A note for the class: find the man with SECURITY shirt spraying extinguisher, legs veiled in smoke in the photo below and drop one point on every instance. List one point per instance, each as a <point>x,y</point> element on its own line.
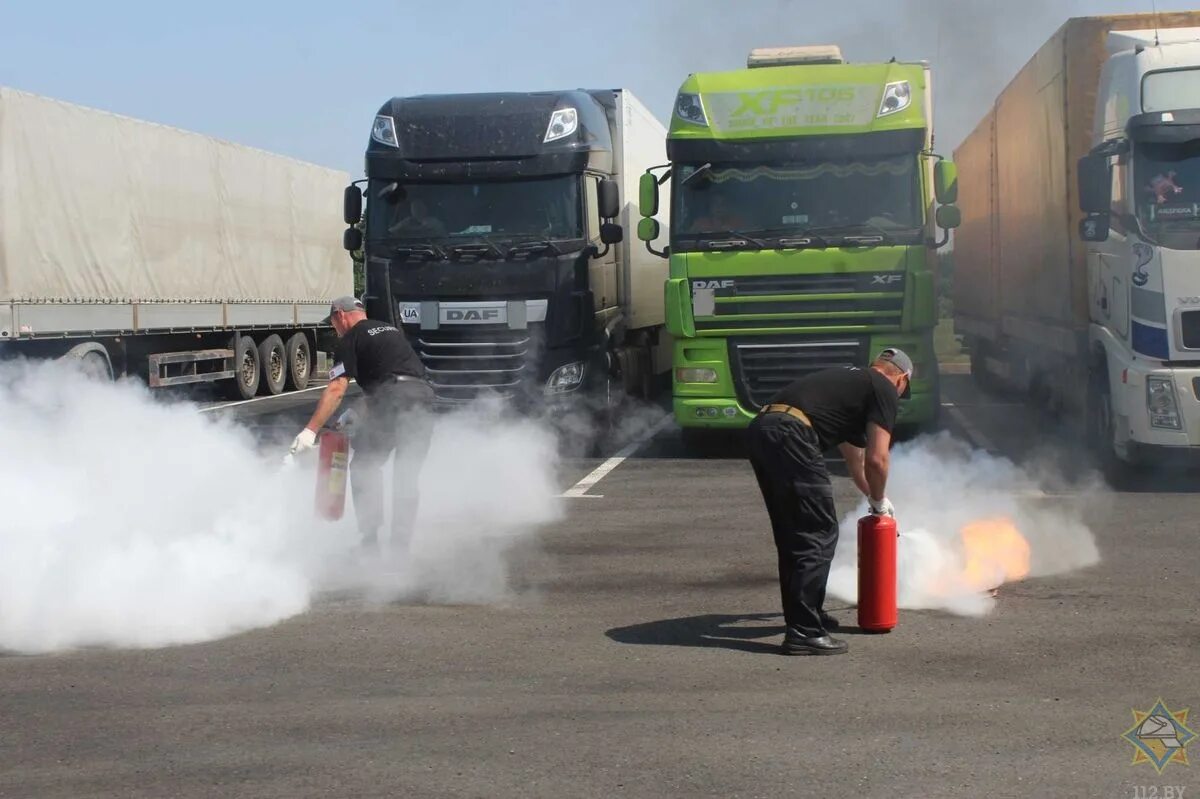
<point>397,417</point>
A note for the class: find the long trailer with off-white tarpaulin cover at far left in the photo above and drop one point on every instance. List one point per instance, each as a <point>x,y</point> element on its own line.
<point>143,250</point>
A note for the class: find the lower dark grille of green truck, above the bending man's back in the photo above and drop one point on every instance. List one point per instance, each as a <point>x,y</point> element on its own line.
<point>765,365</point>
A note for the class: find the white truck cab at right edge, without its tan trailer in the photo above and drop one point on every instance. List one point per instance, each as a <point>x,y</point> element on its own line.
<point>1141,191</point>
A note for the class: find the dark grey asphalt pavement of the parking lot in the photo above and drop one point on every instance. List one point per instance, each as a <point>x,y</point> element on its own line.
<point>639,659</point>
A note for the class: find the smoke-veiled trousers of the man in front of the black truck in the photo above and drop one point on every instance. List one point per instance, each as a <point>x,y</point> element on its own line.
<point>398,418</point>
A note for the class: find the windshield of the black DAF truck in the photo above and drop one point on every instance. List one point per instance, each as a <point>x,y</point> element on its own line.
<point>499,212</point>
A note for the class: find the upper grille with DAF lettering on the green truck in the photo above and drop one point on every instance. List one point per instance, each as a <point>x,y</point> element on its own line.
<point>760,296</point>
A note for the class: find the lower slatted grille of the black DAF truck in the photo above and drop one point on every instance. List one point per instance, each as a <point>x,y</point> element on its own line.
<point>465,364</point>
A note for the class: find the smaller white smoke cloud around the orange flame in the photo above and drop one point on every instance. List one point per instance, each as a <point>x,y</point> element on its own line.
<point>940,485</point>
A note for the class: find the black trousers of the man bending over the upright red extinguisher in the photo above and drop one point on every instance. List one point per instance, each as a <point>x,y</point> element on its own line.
<point>795,483</point>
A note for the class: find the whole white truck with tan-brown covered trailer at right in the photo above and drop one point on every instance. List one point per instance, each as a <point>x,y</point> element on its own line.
<point>1078,263</point>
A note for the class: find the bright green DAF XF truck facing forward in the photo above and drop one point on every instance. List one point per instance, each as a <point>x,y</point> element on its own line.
<point>803,230</point>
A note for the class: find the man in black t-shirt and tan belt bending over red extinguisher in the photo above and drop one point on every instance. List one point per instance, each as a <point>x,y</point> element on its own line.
<point>856,411</point>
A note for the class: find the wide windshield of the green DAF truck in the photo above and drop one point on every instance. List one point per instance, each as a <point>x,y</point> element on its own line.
<point>879,197</point>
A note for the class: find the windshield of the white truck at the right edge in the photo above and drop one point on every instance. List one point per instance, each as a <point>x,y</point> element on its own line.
<point>1168,191</point>
